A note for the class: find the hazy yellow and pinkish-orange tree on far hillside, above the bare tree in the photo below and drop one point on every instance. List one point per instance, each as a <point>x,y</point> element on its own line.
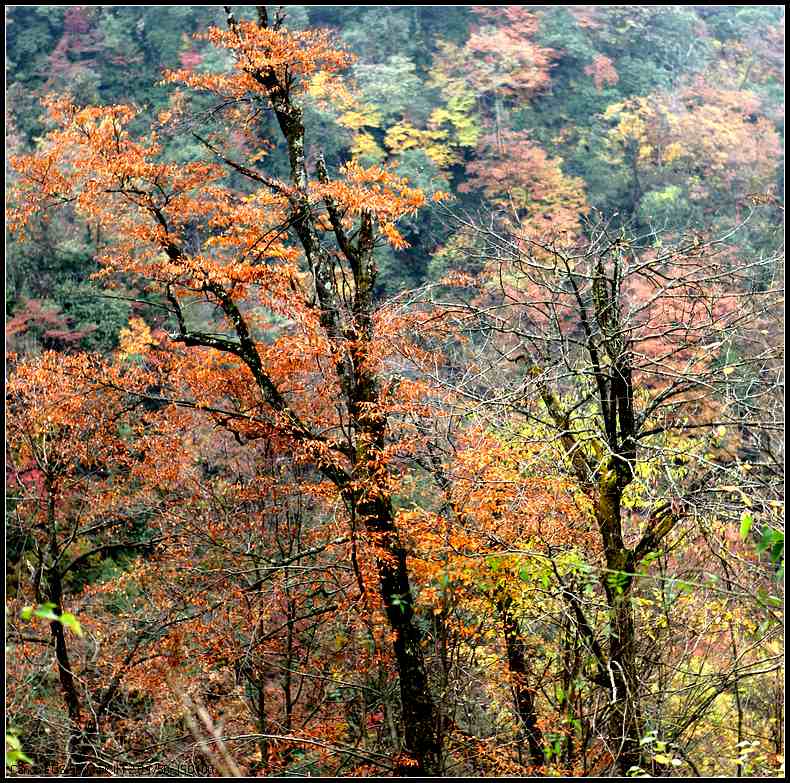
<point>692,151</point>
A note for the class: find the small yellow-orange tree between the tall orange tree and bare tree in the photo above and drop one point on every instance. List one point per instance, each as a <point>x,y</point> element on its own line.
<point>490,508</point>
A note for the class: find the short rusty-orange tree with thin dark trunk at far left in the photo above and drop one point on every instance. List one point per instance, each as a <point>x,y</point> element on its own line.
<point>70,457</point>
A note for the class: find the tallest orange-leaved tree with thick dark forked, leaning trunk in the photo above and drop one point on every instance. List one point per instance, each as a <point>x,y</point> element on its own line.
<point>196,239</point>
